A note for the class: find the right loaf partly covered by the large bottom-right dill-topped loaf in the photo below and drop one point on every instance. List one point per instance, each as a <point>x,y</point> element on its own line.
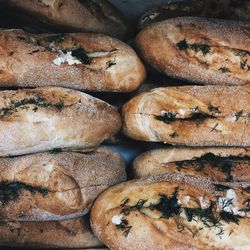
<point>216,164</point>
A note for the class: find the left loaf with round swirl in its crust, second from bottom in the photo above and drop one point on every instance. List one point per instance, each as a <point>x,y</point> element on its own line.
<point>56,186</point>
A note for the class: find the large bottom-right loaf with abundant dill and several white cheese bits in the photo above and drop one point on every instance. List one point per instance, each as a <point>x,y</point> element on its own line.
<point>173,212</point>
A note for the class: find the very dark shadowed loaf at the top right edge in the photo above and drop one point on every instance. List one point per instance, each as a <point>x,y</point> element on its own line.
<point>226,9</point>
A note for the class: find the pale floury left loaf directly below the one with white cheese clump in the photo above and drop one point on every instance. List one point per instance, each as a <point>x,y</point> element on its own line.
<point>41,119</point>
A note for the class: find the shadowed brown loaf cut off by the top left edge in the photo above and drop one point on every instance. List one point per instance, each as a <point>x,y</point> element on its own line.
<point>71,15</point>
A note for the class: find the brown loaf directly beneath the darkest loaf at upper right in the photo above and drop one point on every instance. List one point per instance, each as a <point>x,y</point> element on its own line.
<point>201,50</point>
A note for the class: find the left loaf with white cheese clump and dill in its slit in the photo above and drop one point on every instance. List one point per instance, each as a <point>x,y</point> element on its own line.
<point>81,61</point>
